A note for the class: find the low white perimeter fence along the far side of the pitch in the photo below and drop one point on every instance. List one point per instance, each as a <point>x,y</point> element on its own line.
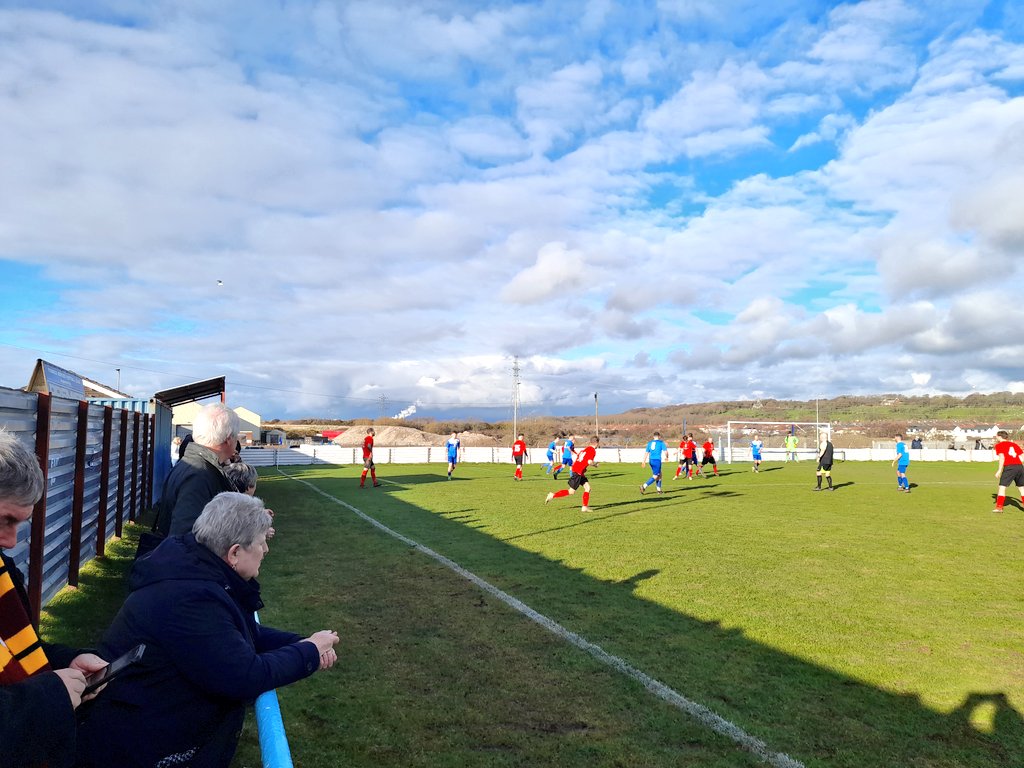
<point>438,455</point>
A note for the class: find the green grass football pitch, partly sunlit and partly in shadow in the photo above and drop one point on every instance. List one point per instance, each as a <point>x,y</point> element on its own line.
<point>860,628</point>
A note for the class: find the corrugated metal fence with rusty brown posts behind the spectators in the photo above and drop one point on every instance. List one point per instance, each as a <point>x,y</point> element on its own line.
<point>98,461</point>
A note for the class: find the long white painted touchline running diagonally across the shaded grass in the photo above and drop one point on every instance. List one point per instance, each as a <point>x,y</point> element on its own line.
<point>699,712</point>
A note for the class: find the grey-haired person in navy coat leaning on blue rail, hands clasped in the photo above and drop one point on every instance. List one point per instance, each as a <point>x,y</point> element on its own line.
<point>192,603</point>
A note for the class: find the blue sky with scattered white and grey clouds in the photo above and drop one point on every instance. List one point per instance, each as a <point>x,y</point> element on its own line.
<point>374,208</point>
